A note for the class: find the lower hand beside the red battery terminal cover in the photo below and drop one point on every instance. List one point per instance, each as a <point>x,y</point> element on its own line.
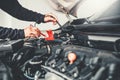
<point>32,32</point>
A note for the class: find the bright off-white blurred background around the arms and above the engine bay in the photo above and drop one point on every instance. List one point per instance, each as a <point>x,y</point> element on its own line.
<point>86,9</point>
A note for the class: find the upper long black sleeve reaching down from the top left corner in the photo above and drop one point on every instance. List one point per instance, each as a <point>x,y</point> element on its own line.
<point>13,8</point>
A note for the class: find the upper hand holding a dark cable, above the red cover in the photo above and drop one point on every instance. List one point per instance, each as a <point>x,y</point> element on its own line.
<point>50,18</point>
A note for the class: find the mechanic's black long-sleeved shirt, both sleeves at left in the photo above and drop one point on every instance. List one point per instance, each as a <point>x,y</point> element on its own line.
<point>13,8</point>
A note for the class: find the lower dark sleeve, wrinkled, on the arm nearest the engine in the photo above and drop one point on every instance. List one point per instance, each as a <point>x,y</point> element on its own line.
<point>11,33</point>
